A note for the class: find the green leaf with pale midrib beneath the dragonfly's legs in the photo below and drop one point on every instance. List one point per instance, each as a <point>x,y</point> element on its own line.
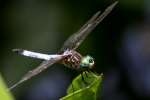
<point>84,90</point>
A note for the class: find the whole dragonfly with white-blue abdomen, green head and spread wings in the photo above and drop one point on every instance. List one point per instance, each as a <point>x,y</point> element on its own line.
<point>67,55</point>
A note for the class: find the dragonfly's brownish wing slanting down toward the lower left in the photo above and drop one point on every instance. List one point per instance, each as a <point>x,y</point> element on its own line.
<point>38,70</point>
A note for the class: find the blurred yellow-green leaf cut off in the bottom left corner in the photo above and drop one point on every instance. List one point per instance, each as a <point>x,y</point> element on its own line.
<point>4,93</point>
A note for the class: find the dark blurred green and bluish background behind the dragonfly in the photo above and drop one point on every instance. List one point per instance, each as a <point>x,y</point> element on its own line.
<point>120,46</point>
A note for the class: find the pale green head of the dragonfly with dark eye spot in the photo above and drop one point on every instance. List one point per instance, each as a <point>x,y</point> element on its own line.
<point>87,62</point>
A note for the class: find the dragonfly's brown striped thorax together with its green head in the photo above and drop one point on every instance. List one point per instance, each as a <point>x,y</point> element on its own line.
<point>78,62</point>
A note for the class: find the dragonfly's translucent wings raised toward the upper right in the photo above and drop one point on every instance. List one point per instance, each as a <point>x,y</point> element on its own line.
<point>77,38</point>
